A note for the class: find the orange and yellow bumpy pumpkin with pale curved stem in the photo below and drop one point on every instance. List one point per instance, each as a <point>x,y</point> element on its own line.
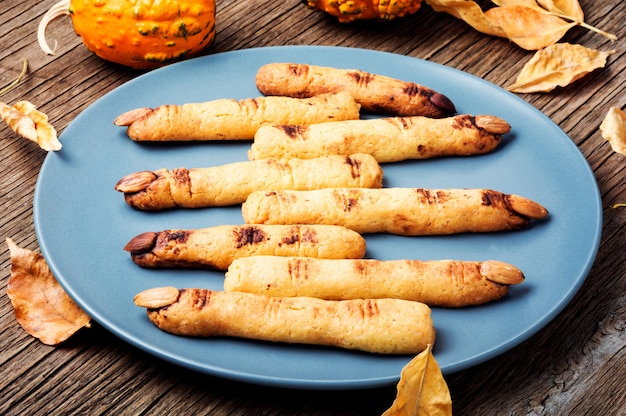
<point>141,34</point>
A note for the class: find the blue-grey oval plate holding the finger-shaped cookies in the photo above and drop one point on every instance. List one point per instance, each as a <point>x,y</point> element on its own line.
<point>82,223</point>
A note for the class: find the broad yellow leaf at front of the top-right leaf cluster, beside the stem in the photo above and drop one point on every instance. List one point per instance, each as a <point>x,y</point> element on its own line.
<point>529,28</point>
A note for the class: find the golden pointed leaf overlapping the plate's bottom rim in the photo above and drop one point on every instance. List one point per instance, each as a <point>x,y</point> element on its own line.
<point>422,390</point>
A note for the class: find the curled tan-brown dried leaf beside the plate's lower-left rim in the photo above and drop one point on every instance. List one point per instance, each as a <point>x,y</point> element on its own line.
<point>41,305</point>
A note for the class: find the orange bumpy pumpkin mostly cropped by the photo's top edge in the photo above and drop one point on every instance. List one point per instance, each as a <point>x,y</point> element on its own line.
<point>350,10</point>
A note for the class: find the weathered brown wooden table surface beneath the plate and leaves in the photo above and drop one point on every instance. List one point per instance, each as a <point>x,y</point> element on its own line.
<point>576,365</point>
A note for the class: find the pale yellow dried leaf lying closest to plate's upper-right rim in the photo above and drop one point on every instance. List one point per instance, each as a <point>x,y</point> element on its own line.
<point>558,65</point>
